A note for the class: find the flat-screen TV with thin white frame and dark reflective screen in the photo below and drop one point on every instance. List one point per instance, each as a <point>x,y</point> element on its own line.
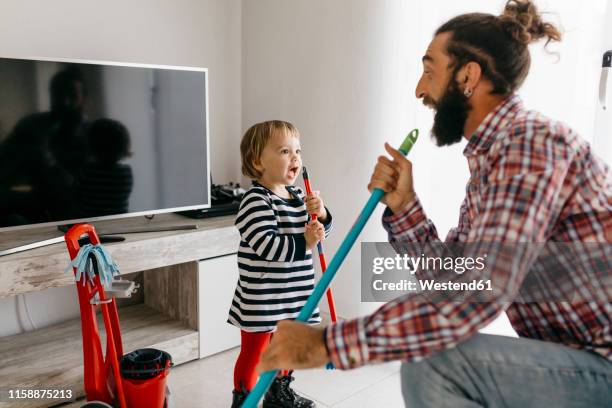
<point>85,141</point>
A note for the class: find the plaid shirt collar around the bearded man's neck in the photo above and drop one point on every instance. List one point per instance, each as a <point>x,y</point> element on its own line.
<point>484,136</point>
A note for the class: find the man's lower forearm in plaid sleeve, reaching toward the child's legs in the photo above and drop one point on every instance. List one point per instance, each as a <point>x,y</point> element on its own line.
<point>405,329</point>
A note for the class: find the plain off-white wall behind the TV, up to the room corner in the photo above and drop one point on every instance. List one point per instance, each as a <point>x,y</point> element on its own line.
<point>205,33</point>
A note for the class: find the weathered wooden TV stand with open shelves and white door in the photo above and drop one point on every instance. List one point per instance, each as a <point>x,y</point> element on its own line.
<point>181,308</point>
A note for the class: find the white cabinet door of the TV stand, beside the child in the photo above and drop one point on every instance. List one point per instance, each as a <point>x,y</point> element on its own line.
<point>217,279</point>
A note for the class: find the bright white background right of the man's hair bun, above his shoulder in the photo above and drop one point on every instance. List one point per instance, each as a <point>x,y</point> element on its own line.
<point>566,89</point>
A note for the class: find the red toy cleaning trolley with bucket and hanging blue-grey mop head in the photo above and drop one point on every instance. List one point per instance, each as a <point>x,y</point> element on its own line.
<point>142,373</point>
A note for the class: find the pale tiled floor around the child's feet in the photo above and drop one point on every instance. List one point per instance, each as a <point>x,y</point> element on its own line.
<point>208,383</point>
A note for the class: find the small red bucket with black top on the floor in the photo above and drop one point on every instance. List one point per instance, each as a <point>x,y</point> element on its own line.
<point>144,373</point>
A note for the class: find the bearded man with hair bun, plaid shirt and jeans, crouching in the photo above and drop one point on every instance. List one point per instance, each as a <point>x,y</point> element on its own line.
<point>533,180</point>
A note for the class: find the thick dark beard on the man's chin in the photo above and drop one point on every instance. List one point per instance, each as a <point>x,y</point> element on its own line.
<point>451,113</point>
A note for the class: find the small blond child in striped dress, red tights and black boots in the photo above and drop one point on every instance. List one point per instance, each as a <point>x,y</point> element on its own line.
<point>275,253</point>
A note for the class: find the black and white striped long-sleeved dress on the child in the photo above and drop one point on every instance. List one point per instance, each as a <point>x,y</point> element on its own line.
<point>276,269</point>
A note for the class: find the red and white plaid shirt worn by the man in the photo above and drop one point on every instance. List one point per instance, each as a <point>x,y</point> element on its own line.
<point>533,180</point>
